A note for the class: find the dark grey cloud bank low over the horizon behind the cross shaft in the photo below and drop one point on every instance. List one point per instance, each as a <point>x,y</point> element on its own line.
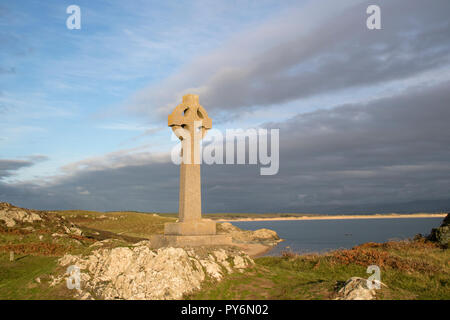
<point>389,154</point>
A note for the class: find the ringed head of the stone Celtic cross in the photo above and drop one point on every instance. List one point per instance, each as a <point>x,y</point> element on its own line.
<point>191,116</point>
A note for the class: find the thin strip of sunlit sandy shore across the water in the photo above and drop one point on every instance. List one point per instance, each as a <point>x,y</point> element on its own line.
<point>340,217</point>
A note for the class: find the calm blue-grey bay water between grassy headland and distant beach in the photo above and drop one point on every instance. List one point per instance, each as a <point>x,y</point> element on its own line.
<point>323,235</point>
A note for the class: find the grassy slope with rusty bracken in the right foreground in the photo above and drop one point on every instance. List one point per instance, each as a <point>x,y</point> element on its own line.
<point>410,269</point>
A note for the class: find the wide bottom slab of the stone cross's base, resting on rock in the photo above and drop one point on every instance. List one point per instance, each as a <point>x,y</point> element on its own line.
<point>158,241</point>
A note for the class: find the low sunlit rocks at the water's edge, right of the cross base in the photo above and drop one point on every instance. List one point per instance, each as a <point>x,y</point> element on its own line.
<point>263,236</point>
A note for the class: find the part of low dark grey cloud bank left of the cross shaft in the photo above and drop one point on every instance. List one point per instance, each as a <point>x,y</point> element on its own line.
<point>143,187</point>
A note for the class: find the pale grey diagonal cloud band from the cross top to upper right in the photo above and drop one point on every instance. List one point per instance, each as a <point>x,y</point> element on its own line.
<point>318,48</point>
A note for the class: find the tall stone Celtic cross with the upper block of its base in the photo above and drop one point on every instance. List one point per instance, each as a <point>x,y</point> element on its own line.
<point>190,122</point>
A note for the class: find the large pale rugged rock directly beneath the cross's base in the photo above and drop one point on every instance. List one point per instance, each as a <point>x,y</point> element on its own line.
<point>140,272</point>
